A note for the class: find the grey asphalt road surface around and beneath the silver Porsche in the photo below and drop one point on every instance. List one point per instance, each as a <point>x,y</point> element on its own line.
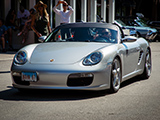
<point>136,100</point>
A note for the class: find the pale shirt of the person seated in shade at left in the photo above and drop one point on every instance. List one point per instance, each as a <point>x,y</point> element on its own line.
<point>21,15</point>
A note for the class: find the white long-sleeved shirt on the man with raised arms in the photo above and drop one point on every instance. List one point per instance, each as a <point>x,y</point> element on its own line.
<point>64,16</point>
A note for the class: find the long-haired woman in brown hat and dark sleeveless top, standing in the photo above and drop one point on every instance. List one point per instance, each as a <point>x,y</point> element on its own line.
<point>40,21</point>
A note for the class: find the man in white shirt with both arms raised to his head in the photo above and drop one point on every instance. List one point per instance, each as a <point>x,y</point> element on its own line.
<point>65,14</point>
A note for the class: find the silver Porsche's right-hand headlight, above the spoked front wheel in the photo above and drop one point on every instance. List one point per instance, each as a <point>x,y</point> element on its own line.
<point>92,59</point>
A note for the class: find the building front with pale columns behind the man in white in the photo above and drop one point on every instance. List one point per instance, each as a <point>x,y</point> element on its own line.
<point>85,10</point>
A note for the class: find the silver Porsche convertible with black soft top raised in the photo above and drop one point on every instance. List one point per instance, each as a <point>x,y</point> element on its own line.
<point>81,56</point>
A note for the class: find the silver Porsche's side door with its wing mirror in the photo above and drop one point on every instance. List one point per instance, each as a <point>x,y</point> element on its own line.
<point>131,52</point>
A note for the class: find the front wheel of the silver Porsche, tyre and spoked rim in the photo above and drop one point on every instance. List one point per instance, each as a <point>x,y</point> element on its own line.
<point>116,76</point>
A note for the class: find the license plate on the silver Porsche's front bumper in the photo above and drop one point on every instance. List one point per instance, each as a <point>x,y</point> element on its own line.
<point>29,76</point>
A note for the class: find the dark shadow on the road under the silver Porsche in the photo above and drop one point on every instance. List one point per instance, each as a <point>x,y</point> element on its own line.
<point>56,95</point>
